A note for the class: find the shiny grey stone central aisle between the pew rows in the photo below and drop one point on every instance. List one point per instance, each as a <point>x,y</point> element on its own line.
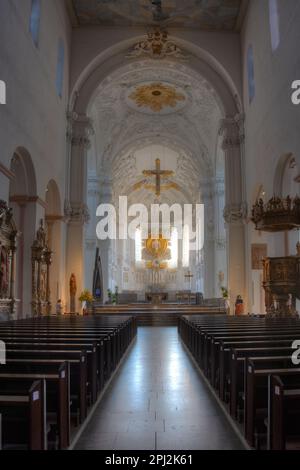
<point>158,401</point>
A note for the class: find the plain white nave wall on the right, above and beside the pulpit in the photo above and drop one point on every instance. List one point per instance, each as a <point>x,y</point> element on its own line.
<point>272,122</point>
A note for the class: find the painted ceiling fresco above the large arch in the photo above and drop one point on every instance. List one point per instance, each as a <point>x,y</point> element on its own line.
<point>208,15</point>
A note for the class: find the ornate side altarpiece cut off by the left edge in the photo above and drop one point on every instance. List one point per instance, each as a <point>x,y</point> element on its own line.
<point>8,239</point>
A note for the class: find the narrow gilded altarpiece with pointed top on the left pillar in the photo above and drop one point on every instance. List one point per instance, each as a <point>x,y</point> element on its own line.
<point>41,258</point>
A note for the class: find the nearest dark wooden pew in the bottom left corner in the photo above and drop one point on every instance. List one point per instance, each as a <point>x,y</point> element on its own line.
<point>22,406</point>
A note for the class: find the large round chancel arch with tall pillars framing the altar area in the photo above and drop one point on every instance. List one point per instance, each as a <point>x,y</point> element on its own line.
<point>229,100</point>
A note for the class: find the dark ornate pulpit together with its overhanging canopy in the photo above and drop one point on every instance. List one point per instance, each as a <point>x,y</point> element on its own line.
<point>281,275</point>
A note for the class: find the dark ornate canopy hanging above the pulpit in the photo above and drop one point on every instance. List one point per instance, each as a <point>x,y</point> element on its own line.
<point>277,215</point>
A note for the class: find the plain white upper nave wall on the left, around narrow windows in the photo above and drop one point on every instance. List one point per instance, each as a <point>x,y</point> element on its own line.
<point>34,116</point>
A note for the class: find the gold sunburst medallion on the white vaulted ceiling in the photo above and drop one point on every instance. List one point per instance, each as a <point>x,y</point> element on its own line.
<point>156,96</point>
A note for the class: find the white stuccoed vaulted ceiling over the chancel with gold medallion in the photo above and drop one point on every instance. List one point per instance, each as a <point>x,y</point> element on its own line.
<point>150,109</point>
